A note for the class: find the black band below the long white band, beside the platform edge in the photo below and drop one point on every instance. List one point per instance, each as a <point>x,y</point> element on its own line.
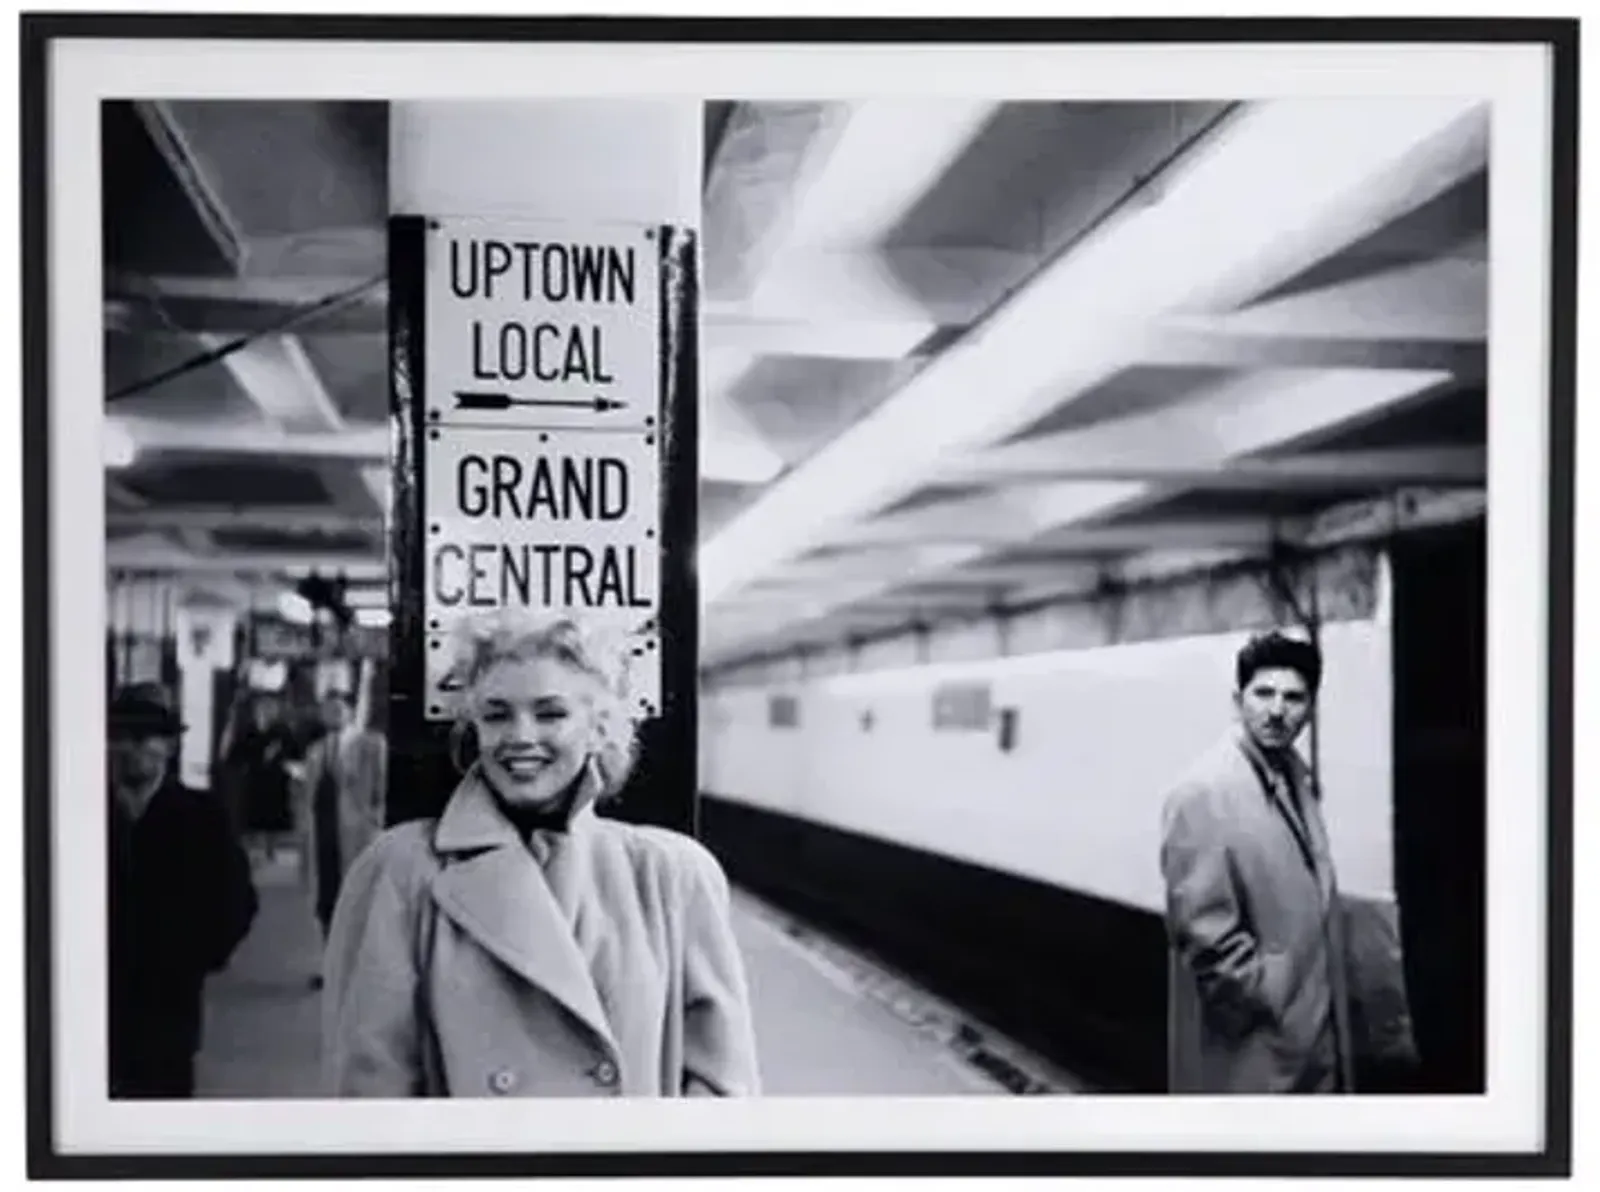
<point>1079,980</point>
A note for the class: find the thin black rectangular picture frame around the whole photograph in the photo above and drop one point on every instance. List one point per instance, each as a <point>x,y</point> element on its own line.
<point>39,33</point>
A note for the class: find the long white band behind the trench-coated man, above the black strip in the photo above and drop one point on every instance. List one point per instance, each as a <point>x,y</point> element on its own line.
<point>1102,737</point>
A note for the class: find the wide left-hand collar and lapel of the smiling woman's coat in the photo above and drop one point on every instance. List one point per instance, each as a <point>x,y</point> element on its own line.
<point>498,895</point>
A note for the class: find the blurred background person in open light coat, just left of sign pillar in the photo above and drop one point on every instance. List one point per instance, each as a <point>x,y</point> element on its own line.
<point>343,807</point>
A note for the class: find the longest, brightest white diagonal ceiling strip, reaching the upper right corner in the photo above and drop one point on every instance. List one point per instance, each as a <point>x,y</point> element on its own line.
<point>1282,183</point>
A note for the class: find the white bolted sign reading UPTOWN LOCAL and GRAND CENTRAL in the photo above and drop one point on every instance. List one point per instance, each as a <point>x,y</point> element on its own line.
<point>542,457</point>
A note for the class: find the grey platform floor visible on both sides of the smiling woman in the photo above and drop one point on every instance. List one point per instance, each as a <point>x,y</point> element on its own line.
<point>830,1022</point>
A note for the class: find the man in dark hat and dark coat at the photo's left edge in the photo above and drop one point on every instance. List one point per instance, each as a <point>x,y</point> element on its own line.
<point>182,898</point>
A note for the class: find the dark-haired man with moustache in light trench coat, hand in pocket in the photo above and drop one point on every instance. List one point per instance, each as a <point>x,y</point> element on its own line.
<point>1260,991</point>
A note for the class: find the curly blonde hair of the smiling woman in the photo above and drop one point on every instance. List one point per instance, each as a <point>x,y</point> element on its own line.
<point>481,642</point>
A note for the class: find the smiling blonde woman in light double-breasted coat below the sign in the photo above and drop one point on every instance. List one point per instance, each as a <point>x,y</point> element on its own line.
<point>521,945</point>
